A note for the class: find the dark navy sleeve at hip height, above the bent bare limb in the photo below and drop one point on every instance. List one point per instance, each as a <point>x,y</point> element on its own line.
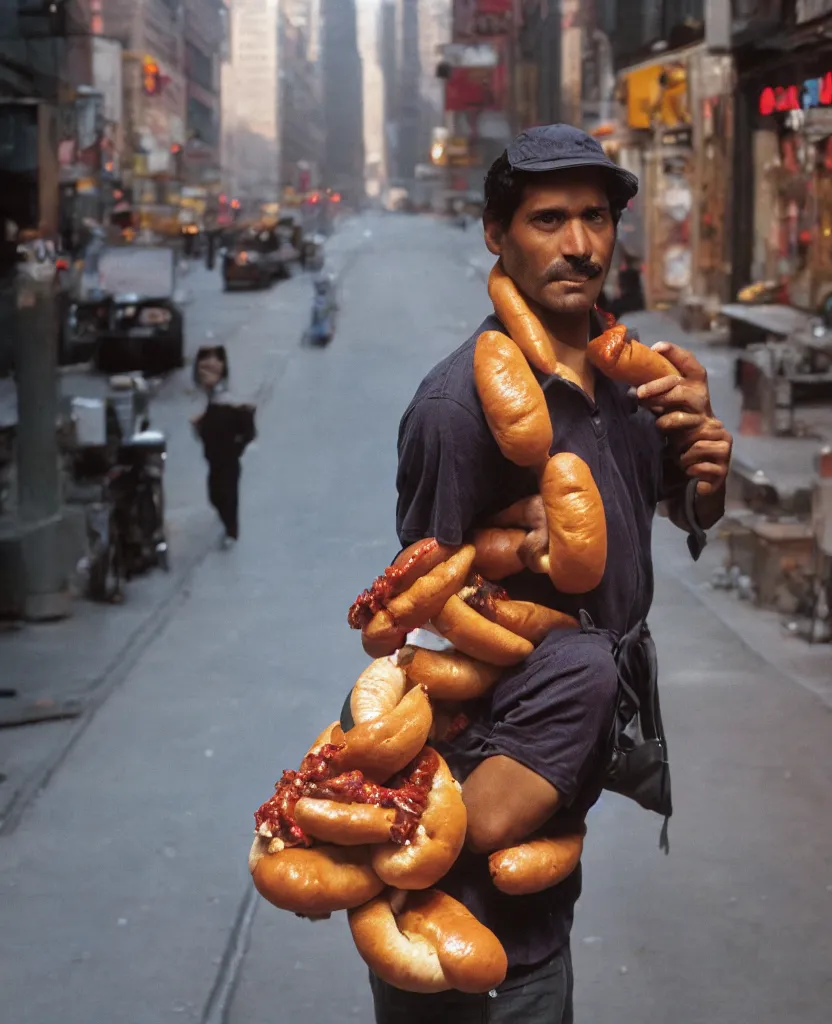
<point>554,712</point>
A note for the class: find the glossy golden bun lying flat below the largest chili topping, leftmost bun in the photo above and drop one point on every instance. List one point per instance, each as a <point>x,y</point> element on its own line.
<point>319,881</point>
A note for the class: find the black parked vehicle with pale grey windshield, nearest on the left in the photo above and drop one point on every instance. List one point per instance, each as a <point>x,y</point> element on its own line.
<point>130,319</point>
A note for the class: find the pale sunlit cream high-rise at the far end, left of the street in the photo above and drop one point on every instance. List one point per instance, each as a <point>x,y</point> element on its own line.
<point>252,124</point>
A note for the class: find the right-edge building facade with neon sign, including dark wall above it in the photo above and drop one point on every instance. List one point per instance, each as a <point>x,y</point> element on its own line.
<point>782,216</point>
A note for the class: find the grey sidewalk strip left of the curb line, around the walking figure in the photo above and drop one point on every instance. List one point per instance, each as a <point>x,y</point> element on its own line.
<point>61,671</point>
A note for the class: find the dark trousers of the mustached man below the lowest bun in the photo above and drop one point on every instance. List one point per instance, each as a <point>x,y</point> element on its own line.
<point>543,996</point>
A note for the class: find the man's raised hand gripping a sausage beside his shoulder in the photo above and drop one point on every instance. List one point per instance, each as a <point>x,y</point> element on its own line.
<point>683,406</point>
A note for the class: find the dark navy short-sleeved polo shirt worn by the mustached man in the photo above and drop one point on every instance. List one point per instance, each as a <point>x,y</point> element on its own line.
<point>552,714</point>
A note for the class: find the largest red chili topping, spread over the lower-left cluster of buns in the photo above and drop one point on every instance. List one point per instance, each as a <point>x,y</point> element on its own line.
<point>317,779</point>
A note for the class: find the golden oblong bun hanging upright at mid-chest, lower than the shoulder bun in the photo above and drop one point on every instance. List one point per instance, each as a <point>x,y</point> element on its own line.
<point>577,525</point>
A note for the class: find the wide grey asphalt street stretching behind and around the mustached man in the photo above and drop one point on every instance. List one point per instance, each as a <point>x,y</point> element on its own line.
<point>124,884</point>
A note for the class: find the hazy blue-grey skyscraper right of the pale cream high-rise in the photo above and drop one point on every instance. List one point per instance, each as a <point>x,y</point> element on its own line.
<point>344,107</point>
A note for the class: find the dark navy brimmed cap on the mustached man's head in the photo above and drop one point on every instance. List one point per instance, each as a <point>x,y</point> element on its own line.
<point>559,148</point>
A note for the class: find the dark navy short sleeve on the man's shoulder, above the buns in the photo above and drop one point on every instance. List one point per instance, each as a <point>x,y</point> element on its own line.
<point>445,476</point>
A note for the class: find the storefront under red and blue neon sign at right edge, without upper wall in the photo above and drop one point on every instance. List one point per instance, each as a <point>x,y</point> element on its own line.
<point>786,153</point>
